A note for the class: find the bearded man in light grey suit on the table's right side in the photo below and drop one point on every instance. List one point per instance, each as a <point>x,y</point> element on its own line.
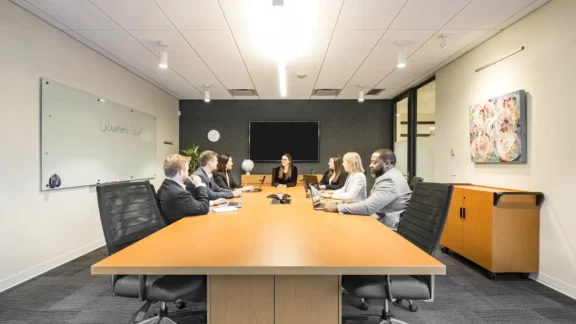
<point>389,197</point>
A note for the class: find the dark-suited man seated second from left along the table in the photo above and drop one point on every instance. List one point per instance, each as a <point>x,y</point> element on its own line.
<point>208,164</point>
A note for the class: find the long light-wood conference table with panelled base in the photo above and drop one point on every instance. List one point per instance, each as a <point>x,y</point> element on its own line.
<point>273,264</point>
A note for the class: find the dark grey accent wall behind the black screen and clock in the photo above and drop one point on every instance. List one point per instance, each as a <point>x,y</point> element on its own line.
<point>345,125</point>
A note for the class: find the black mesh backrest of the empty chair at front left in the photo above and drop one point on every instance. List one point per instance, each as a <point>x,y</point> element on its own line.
<point>128,212</point>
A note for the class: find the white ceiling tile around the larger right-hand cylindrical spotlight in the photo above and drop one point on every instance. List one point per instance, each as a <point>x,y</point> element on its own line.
<point>385,54</point>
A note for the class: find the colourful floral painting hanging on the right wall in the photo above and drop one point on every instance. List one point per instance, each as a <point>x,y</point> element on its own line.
<point>498,129</point>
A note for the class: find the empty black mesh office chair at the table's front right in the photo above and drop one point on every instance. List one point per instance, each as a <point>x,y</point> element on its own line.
<point>422,224</point>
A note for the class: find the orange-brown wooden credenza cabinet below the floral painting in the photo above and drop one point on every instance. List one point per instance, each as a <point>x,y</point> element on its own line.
<point>495,228</point>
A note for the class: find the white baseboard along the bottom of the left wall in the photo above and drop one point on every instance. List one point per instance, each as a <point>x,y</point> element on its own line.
<point>37,270</point>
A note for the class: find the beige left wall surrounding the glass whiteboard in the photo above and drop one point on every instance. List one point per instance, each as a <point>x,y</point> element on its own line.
<point>38,230</point>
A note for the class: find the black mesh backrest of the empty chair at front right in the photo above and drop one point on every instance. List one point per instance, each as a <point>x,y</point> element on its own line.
<point>424,219</point>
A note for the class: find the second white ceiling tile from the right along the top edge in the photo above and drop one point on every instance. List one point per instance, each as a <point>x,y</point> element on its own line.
<point>427,14</point>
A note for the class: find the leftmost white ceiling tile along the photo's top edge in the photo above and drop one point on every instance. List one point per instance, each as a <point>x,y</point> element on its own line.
<point>76,14</point>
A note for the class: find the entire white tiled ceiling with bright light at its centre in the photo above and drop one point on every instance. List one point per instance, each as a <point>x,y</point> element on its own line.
<point>230,44</point>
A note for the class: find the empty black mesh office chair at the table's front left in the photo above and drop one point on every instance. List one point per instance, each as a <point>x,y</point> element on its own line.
<point>129,212</point>
